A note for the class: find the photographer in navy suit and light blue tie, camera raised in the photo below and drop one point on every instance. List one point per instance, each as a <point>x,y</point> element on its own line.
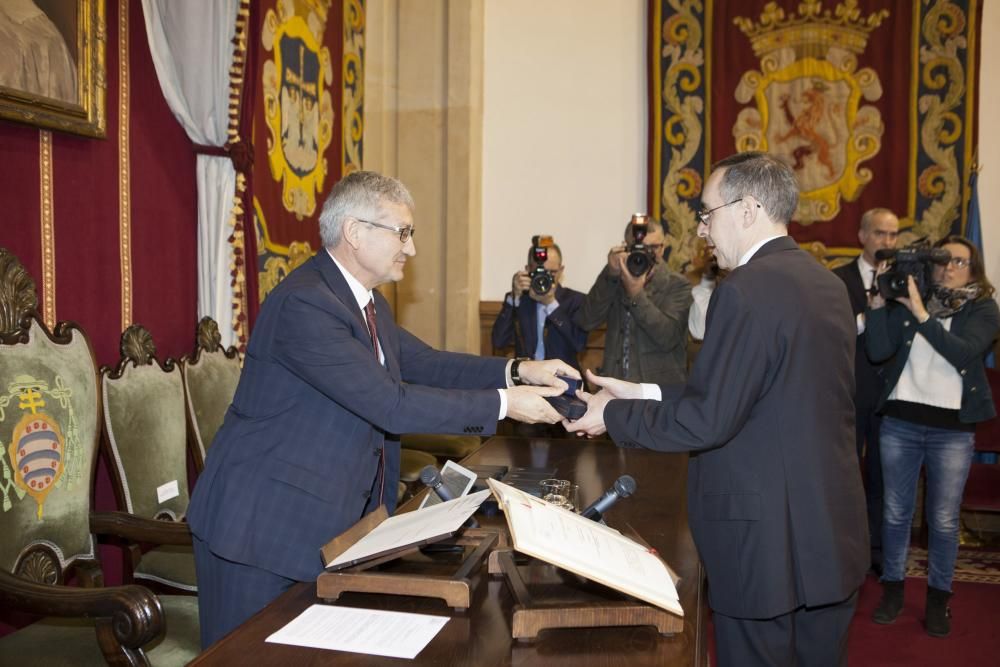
<point>537,314</point>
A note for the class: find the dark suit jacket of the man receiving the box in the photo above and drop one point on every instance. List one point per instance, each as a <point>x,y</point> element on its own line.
<point>775,501</point>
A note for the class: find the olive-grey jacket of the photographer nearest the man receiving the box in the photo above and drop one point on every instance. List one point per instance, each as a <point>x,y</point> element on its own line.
<point>657,332</point>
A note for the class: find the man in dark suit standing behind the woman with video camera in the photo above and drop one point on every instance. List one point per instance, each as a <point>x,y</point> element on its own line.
<point>878,231</point>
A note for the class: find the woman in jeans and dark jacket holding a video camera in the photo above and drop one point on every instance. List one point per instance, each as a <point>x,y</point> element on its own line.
<point>935,393</point>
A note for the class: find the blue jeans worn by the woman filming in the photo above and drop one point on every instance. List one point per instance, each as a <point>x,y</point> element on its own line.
<point>946,454</point>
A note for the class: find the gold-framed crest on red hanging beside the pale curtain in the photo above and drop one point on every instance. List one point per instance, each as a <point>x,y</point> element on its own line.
<point>298,107</point>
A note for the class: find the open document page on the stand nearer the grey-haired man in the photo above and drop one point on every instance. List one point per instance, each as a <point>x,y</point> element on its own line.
<point>412,528</point>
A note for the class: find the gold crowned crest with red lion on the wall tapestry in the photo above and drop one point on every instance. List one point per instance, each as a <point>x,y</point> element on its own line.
<point>807,99</point>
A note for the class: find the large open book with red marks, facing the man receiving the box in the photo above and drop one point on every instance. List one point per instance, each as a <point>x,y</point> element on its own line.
<point>584,547</point>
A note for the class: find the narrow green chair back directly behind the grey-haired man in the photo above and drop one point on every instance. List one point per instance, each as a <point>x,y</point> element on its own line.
<point>210,376</point>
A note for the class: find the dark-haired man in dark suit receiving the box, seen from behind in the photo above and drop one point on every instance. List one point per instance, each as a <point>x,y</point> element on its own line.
<point>775,502</point>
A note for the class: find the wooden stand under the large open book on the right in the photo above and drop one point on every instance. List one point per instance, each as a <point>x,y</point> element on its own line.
<point>564,600</point>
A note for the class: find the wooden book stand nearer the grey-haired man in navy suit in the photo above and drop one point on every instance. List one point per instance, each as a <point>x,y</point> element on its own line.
<point>404,576</point>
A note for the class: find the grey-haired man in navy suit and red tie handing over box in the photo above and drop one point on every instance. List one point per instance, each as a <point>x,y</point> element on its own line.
<point>310,443</point>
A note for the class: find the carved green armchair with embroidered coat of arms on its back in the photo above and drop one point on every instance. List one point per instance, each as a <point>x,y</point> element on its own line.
<point>49,435</point>
